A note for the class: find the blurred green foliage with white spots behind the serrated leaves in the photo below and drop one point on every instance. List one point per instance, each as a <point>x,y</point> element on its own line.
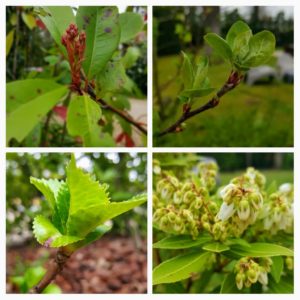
<point>125,174</point>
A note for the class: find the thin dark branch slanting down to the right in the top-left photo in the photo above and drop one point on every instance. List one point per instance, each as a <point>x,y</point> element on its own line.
<point>117,111</point>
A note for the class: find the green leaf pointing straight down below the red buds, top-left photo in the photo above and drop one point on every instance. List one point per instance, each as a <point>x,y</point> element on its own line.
<point>82,120</point>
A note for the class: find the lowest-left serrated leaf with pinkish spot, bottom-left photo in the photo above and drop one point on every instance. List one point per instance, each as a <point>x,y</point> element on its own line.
<point>47,234</point>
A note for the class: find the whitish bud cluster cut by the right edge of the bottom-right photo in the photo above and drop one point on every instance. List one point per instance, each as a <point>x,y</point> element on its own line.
<point>278,210</point>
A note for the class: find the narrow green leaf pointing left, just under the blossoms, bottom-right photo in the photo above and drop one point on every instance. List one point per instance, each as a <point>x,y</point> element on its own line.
<point>180,242</point>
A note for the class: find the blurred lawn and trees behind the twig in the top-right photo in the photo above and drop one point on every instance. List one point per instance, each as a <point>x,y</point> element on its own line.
<point>257,115</point>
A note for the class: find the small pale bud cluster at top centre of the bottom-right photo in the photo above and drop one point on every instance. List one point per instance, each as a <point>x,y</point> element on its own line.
<point>208,174</point>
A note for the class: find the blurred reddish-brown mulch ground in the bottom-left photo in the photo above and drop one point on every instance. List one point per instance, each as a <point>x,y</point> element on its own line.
<point>109,265</point>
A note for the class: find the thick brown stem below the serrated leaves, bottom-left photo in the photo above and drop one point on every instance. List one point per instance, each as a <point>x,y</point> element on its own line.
<point>55,267</point>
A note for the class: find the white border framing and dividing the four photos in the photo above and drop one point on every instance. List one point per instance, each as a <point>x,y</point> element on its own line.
<point>149,149</point>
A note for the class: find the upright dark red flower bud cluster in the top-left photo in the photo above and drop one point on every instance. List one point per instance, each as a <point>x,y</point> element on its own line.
<point>75,44</point>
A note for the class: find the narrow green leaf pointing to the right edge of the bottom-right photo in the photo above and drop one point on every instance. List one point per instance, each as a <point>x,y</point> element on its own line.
<point>261,250</point>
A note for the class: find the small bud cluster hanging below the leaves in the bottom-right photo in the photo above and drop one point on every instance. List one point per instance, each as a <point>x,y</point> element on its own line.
<point>251,270</point>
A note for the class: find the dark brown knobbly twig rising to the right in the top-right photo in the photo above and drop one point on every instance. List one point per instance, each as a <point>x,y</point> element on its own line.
<point>234,80</point>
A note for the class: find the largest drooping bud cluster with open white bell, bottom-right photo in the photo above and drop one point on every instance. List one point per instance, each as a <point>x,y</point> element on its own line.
<point>242,201</point>
